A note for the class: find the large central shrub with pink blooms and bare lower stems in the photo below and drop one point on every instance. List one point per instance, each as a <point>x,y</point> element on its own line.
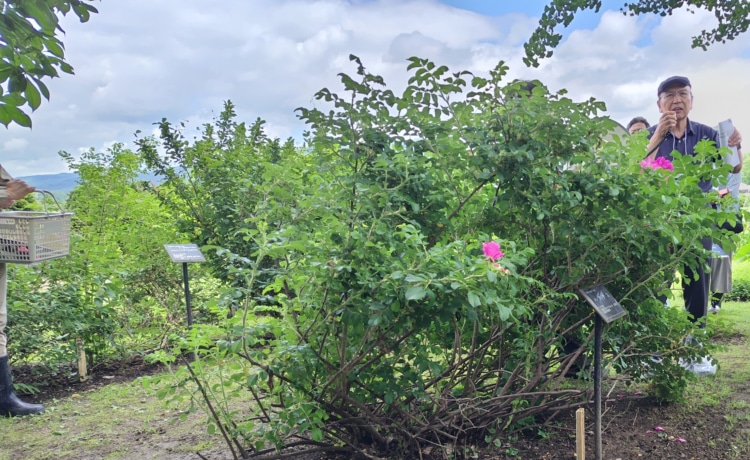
<point>394,331</point>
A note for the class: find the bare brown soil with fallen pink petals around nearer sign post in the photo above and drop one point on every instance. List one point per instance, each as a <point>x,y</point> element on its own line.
<point>635,427</point>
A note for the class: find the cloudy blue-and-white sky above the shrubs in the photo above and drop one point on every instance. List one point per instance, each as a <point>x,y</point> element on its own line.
<point>139,61</point>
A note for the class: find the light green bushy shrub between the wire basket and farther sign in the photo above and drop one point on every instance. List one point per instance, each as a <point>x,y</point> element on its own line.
<point>114,279</point>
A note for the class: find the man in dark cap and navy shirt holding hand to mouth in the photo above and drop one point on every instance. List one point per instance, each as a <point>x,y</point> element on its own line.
<point>676,132</point>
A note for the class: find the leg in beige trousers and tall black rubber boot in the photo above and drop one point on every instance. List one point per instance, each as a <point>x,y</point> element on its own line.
<point>10,404</point>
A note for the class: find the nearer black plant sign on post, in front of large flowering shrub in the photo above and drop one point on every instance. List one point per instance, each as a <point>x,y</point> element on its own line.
<point>607,309</point>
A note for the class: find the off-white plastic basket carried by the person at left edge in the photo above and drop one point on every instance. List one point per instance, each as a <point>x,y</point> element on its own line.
<point>29,237</point>
